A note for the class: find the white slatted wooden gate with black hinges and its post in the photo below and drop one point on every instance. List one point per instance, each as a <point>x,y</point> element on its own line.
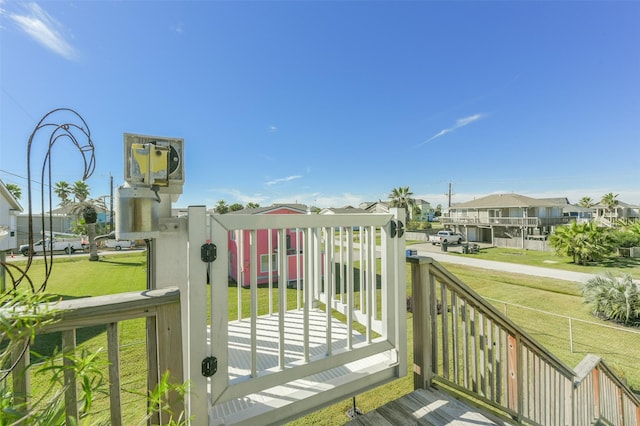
<point>336,328</point>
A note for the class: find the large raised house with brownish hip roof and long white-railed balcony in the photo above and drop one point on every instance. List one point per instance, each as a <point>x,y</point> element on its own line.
<point>506,216</point>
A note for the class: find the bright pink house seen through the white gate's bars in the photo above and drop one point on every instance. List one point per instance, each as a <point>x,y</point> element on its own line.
<point>240,255</point>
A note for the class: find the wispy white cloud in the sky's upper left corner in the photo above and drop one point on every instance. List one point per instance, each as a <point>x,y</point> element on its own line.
<point>44,29</point>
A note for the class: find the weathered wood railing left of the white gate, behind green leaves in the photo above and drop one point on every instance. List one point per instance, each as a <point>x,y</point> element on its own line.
<point>162,310</point>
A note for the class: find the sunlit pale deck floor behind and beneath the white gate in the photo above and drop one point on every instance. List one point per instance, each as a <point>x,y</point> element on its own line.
<point>253,409</point>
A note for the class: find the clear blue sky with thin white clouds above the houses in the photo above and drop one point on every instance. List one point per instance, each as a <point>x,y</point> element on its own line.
<point>332,103</point>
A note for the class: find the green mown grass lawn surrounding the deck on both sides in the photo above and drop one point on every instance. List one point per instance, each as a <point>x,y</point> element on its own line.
<point>77,277</point>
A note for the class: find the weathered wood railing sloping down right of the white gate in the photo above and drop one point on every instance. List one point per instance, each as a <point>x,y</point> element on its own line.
<point>463,341</point>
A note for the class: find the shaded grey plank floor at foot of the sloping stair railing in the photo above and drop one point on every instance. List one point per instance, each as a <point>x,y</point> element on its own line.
<point>426,407</point>
